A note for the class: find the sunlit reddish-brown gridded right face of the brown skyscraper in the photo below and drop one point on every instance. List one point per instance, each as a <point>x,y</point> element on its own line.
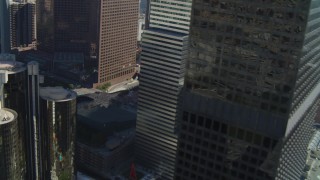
<point>117,40</point>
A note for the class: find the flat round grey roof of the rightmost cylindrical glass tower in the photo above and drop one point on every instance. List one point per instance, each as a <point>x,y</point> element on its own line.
<point>57,94</point>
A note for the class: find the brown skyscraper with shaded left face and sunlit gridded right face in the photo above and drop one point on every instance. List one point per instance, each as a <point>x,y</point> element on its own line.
<point>104,31</point>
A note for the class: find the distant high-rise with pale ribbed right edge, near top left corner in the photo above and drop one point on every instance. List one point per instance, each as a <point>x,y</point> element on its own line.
<point>22,25</point>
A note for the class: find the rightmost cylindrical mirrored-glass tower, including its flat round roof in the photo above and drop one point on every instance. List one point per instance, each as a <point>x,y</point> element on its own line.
<point>58,132</point>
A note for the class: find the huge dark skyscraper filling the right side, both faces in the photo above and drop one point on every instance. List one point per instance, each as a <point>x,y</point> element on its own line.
<point>251,87</point>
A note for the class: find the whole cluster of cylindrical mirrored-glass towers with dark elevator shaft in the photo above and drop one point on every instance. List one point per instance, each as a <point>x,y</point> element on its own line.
<point>31,146</point>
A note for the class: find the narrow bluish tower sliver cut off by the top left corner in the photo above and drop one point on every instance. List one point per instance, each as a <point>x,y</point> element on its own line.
<point>4,27</point>
